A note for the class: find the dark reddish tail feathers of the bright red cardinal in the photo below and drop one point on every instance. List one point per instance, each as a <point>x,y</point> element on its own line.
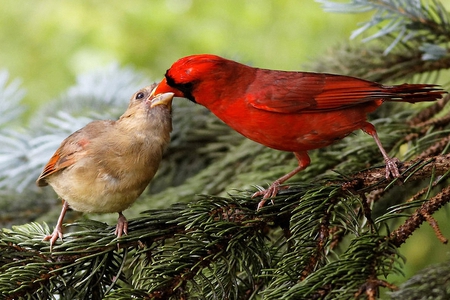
<point>413,92</point>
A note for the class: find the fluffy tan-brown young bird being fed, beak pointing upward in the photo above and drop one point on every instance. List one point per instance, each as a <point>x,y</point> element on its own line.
<point>105,166</point>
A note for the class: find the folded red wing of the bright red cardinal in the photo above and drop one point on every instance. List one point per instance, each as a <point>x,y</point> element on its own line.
<point>290,92</point>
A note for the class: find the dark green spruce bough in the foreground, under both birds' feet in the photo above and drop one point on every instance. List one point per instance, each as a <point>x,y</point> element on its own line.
<point>211,247</point>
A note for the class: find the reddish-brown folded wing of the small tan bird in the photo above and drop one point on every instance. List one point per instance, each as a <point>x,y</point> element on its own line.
<point>71,149</point>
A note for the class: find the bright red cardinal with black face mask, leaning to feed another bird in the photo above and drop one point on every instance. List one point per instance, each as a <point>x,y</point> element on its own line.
<point>288,111</point>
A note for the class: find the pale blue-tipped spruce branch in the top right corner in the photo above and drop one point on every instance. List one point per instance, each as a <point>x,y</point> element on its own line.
<point>409,21</point>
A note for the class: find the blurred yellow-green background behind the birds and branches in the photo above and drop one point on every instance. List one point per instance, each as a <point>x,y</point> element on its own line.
<point>47,43</point>
